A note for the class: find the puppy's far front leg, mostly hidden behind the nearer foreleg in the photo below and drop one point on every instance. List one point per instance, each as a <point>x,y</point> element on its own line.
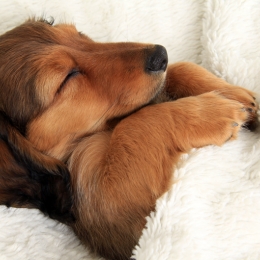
<point>188,79</point>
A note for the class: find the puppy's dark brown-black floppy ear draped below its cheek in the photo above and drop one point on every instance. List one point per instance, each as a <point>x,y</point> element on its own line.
<point>28,178</point>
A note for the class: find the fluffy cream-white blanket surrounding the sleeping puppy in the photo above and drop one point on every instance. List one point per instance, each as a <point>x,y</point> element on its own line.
<point>213,209</point>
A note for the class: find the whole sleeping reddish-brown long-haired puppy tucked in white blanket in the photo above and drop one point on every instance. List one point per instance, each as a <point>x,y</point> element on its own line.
<point>91,132</point>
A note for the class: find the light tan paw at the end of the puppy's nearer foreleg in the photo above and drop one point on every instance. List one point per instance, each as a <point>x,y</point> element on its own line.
<point>222,118</point>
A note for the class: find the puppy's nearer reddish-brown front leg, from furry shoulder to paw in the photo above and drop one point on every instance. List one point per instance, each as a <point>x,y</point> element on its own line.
<point>121,174</point>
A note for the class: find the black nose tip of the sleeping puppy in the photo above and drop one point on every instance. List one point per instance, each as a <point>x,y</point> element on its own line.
<point>157,60</point>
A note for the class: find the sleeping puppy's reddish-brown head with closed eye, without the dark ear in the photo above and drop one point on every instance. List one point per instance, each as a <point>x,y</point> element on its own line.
<point>57,84</point>
